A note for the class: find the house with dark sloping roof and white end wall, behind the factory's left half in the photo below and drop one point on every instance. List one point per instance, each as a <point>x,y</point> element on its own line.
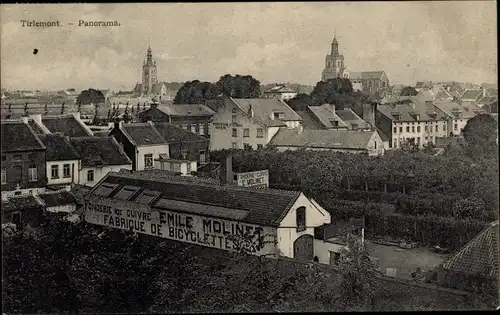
<point>142,142</point>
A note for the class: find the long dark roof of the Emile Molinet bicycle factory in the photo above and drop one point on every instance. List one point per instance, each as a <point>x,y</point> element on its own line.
<point>257,206</point>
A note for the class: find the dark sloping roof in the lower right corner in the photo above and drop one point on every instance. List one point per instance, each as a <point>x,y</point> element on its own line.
<point>479,256</point>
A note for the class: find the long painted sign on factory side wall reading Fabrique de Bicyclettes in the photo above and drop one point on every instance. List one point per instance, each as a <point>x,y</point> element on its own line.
<point>183,227</point>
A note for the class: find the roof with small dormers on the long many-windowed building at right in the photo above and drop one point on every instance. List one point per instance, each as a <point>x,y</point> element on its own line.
<point>406,112</point>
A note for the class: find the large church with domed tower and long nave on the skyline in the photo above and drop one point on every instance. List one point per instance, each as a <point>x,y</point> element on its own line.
<point>367,81</point>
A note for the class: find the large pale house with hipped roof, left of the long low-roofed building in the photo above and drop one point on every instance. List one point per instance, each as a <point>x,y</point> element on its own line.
<point>250,123</point>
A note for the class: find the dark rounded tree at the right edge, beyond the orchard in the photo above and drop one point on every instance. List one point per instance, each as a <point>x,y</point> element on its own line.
<point>481,133</point>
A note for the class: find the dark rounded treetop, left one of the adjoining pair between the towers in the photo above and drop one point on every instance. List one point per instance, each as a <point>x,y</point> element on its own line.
<point>195,92</point>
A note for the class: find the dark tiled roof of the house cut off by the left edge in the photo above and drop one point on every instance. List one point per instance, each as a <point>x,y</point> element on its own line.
<point>18,136</point>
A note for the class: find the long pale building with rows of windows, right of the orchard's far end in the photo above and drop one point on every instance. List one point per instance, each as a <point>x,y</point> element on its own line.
<point>416,122</point>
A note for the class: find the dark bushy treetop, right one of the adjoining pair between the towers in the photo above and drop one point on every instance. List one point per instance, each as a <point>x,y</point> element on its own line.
<point>238,86</point>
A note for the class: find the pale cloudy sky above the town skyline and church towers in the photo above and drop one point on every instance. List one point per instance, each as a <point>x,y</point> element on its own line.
<point>273,42</point>
